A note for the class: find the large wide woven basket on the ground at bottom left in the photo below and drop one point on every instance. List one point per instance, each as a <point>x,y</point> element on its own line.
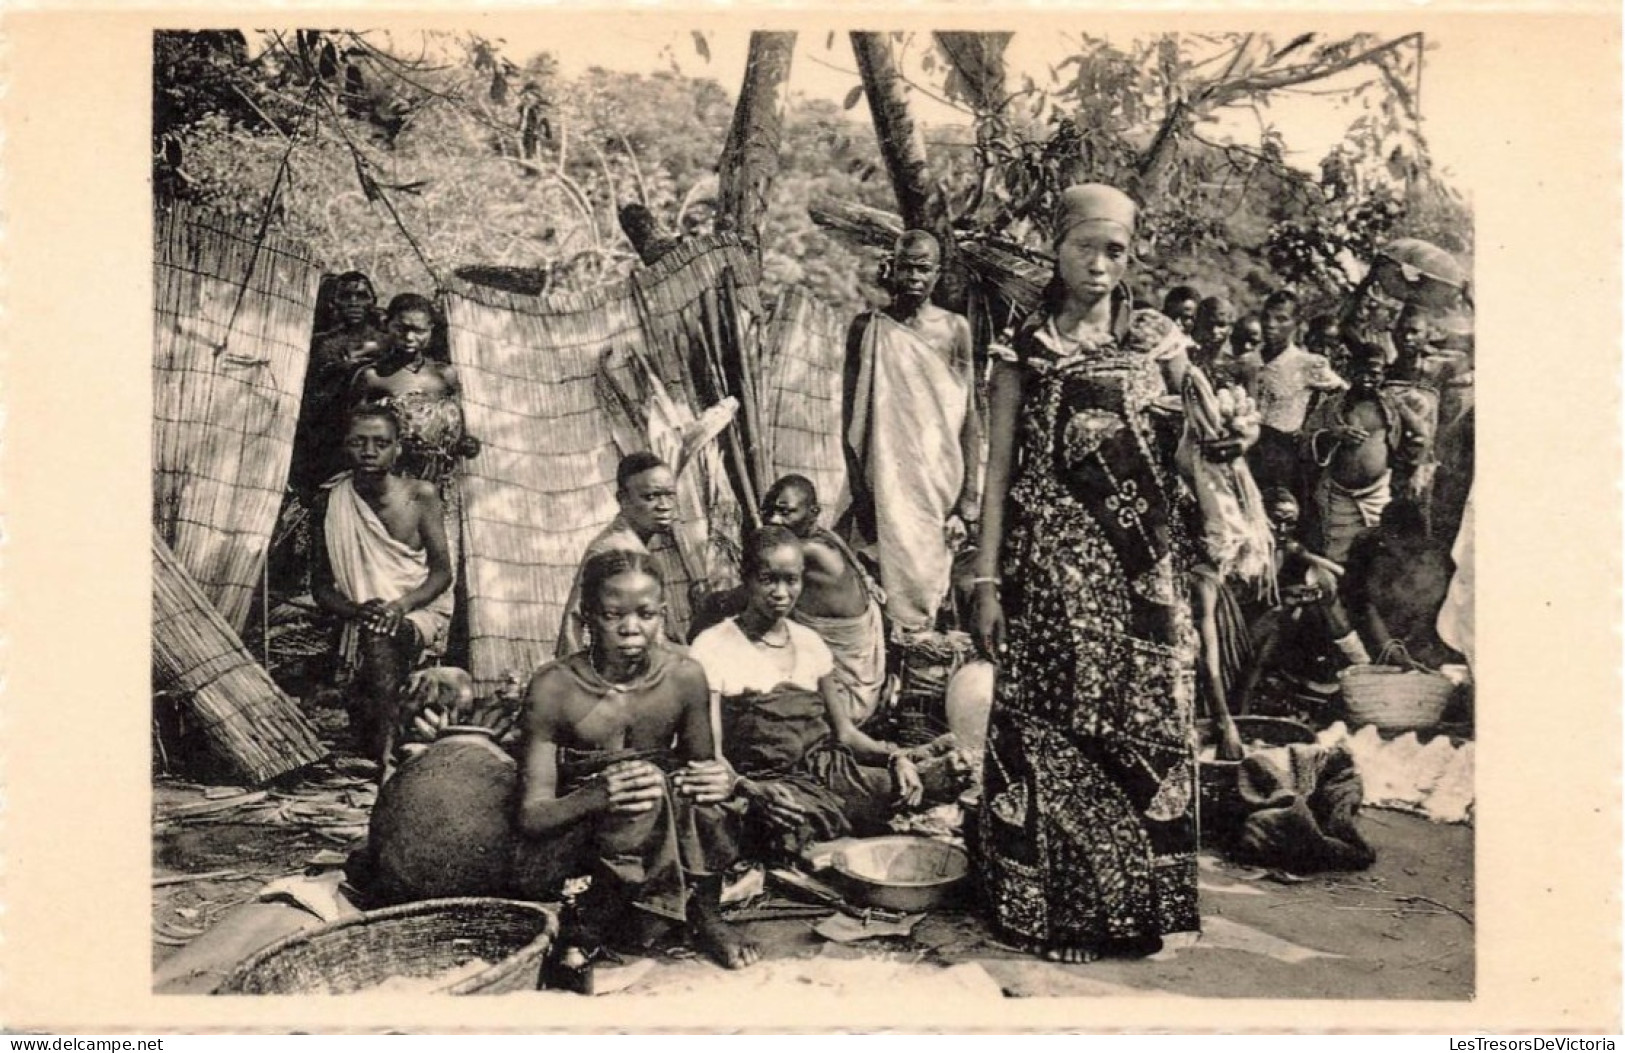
<point>417,940</point>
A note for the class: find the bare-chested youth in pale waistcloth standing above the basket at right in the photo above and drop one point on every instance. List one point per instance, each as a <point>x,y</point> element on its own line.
<point>1358,441</point>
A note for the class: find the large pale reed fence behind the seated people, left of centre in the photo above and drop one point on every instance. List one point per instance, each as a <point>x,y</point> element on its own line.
<point>544,485</point>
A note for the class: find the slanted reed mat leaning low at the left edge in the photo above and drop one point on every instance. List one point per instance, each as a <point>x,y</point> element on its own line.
<point>243,714</point>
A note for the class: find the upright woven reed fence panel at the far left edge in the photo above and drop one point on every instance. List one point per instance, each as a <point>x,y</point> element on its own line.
<point>230,350</point>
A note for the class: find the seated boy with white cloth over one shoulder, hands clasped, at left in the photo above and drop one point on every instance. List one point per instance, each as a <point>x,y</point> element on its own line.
<point>383,565</point>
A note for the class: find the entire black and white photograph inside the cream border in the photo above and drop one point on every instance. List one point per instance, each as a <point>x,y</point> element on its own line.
<point>976,514</point>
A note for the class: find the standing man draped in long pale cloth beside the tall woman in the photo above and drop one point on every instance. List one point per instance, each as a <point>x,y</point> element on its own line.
<point>912,436</point>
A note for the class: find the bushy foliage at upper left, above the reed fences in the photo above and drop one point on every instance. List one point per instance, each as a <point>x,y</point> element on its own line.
<point>412,168</point>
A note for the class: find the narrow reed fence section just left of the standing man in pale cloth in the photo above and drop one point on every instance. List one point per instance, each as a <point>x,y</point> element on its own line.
<point>805,350</point>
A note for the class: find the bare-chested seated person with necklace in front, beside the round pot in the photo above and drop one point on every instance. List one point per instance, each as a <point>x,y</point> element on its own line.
<point>622,774</point>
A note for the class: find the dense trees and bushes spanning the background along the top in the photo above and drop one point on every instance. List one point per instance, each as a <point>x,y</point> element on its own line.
<point>412,162</point>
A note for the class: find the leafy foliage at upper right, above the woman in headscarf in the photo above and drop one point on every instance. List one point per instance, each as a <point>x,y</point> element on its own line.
<point>1161,115</point>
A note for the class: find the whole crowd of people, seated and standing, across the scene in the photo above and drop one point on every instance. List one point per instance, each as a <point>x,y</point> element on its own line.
<point>1151,509</point>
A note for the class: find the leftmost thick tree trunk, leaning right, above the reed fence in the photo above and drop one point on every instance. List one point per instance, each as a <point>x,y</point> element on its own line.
<point>750,158</point>
